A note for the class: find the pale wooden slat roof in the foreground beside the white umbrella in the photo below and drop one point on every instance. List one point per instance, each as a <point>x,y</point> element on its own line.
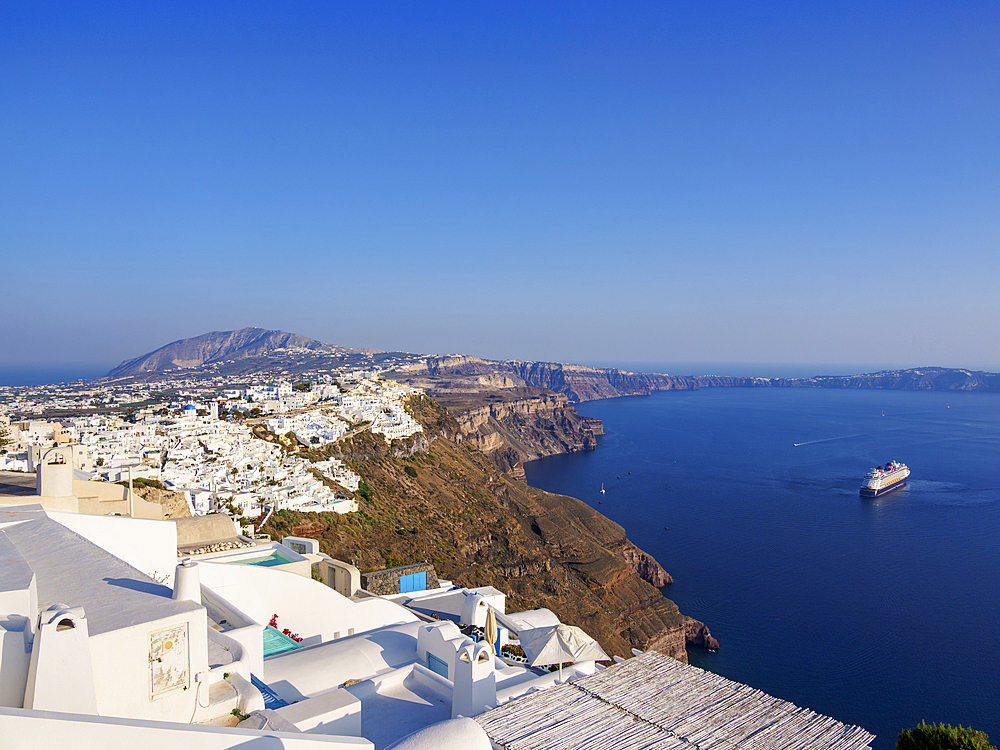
<point>653,702</point>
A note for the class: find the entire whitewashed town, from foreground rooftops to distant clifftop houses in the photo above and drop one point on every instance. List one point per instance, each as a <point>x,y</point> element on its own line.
<point>124,625</point>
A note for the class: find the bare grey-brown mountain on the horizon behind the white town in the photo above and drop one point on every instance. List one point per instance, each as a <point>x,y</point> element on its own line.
<point>223,346</point>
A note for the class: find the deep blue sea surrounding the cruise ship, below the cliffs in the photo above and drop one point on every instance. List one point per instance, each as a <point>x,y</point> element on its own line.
<point>879,612</point>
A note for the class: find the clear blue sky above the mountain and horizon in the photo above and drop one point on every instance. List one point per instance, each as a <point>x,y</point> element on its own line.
<point>662,181</point>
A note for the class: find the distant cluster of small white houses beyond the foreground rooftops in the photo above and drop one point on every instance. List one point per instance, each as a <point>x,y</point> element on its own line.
<point>238,450</point>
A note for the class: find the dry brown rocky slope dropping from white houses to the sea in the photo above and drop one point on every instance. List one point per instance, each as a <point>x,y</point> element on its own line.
<point>437,498</point>
